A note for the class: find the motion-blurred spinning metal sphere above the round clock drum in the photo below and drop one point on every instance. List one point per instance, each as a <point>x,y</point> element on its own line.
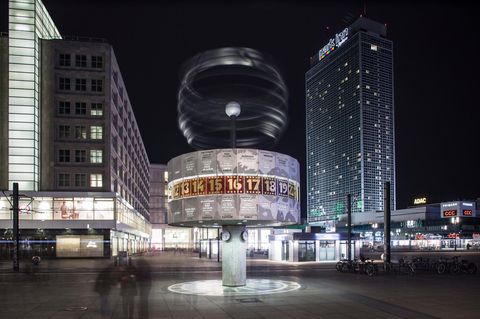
<point>213,79</point>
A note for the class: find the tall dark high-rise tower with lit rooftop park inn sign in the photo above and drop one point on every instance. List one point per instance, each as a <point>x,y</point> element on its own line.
<point>350,122</point>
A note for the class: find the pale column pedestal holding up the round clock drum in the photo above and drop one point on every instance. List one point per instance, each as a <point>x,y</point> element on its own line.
<point>234,259</point>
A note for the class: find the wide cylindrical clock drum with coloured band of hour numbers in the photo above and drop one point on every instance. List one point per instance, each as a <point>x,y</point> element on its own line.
<point>247,187</point>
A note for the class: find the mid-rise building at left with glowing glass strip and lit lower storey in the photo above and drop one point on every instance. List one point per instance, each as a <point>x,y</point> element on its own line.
<point>72,143</point>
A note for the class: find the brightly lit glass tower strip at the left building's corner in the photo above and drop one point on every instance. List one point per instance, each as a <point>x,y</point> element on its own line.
<point>29,22</point>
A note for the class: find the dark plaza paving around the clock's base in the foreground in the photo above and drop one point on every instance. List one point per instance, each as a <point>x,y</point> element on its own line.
<point>56,292</point>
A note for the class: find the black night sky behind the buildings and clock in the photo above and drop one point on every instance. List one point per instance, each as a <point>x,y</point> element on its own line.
<point>436,66</point>
